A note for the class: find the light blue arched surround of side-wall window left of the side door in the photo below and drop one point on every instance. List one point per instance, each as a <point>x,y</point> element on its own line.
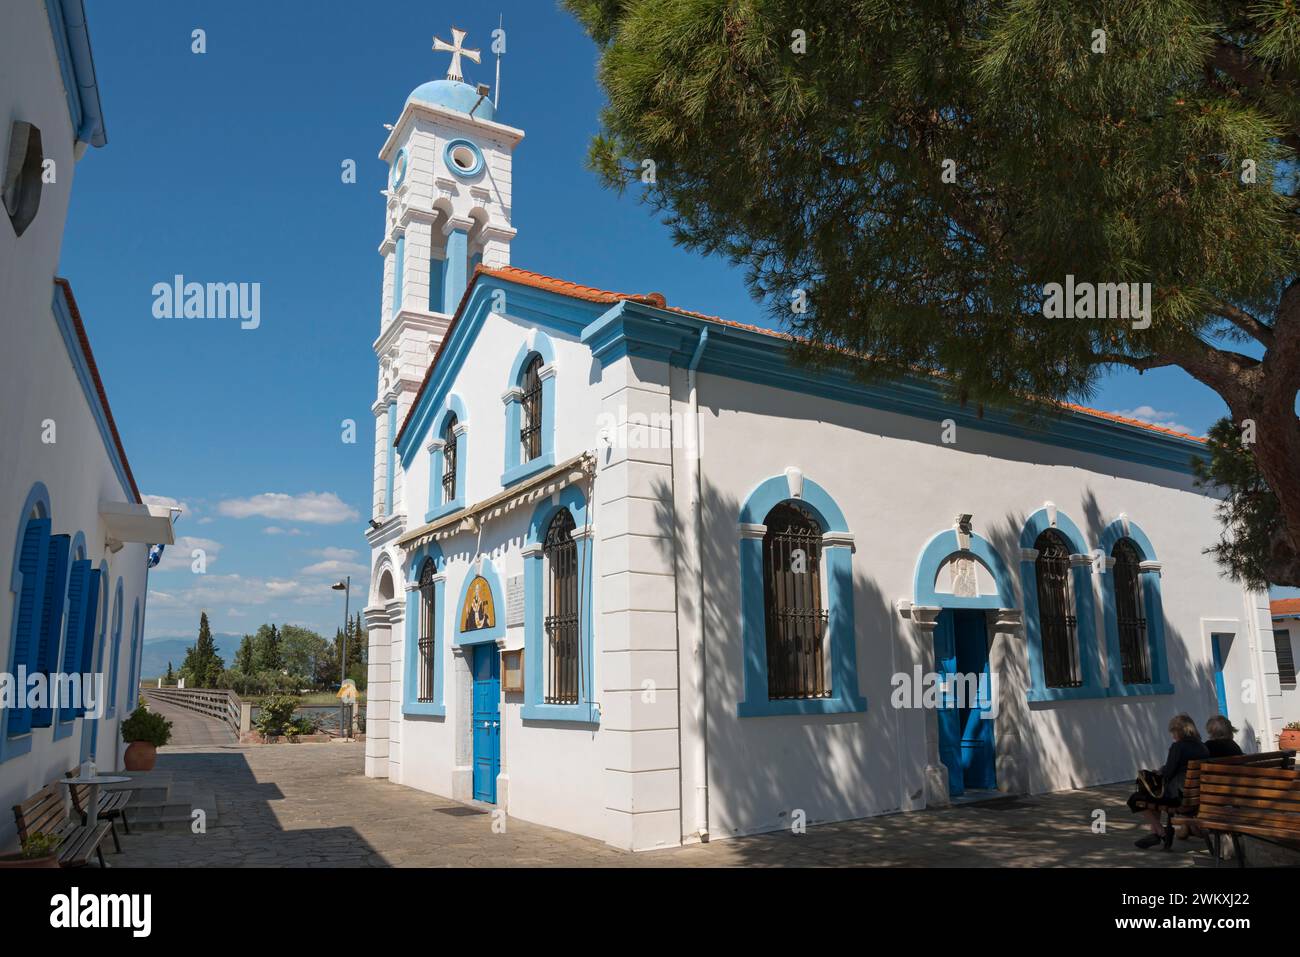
<point>838,574</point>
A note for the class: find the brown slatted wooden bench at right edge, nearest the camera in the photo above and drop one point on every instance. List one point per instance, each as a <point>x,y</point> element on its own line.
<point>1256,795</point>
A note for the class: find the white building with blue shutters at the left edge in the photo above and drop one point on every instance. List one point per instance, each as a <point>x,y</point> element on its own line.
<point>76,534</point>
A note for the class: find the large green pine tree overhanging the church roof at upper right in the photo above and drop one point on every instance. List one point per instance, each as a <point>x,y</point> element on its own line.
<point>905,181</point>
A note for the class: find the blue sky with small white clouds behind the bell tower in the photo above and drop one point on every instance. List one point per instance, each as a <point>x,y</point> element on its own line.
<point>226,167</point>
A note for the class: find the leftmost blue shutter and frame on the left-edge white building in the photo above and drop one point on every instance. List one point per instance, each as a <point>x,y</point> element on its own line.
<point>28,583</point>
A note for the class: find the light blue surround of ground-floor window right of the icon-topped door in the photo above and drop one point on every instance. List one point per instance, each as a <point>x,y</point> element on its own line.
<point>535,635</point>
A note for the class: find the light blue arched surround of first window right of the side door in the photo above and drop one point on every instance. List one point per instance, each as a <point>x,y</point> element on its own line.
<point>1085,608</point>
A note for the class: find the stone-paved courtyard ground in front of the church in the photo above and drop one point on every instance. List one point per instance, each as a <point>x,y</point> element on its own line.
<point>311,804</point>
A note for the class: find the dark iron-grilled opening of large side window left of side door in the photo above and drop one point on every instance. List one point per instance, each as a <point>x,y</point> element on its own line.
<point>792,605</point>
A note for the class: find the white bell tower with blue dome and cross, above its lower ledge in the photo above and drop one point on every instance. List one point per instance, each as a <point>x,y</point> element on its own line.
<point>448,210</point>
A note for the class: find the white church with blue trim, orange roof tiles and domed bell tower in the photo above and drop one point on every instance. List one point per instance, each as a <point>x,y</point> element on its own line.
<point>639,577</point>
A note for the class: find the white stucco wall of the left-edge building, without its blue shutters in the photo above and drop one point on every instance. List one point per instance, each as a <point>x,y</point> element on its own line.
<point>38,383</point>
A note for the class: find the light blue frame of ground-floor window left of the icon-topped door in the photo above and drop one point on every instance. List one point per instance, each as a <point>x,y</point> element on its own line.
<point>427,564</point>
